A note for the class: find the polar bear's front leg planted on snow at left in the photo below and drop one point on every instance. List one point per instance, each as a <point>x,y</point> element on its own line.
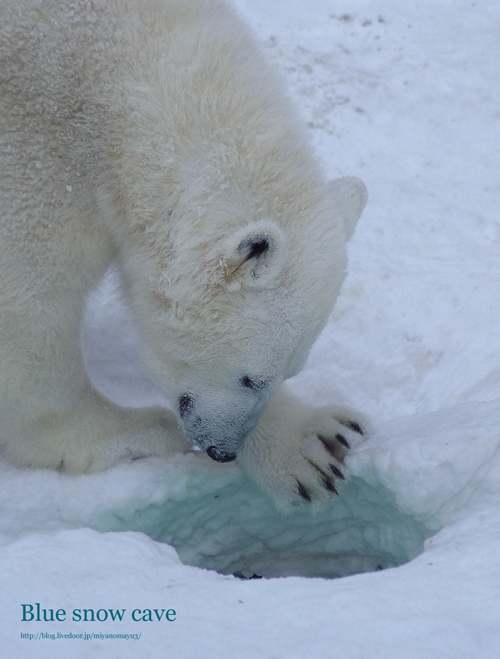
<point>50,415</point>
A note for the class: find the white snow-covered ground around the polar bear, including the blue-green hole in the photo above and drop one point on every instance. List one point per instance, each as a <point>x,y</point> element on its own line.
<point>405,96</point>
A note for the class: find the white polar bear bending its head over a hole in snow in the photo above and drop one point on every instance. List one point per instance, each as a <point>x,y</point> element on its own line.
<point>152,134</point>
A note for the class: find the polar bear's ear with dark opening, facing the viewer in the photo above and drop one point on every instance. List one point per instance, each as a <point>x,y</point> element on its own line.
<point>254,255</point>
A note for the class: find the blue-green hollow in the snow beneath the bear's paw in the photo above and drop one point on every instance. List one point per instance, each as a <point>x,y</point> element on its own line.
<point>236,529</point>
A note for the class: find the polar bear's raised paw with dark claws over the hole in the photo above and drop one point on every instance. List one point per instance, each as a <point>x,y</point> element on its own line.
<point>297,451</point>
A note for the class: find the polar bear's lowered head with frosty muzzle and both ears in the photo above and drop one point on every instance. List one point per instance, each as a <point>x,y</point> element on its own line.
<point>233,305</point>
